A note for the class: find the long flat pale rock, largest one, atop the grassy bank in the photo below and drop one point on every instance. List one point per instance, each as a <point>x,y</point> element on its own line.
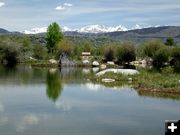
<point>117,71</point>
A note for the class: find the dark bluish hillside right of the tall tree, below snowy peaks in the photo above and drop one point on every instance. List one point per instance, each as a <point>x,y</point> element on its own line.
<point>139,35</point>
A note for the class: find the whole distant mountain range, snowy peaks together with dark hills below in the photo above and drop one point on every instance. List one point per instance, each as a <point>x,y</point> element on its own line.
<point>118,33</point>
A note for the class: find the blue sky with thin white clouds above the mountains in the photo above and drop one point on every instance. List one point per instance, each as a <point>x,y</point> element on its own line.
<point>26,14</point>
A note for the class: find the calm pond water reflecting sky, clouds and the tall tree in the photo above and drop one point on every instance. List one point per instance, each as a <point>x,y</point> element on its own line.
<point>53,102</point>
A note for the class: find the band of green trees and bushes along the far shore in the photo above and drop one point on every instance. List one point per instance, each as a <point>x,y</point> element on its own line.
<point>21,49</point>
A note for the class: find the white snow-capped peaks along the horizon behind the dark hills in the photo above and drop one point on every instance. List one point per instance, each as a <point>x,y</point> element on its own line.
<point>86,29</point>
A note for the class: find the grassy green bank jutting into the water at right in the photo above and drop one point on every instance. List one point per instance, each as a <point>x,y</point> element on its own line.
<point>147,81</point>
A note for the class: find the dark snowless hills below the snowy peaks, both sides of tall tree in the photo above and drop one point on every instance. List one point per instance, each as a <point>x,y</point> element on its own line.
<point>137,36</point>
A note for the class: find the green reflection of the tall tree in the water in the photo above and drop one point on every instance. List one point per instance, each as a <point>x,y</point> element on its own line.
<point>54,85</point>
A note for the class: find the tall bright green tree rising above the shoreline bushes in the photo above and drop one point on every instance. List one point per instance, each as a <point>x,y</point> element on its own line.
<point>53,37</point>
